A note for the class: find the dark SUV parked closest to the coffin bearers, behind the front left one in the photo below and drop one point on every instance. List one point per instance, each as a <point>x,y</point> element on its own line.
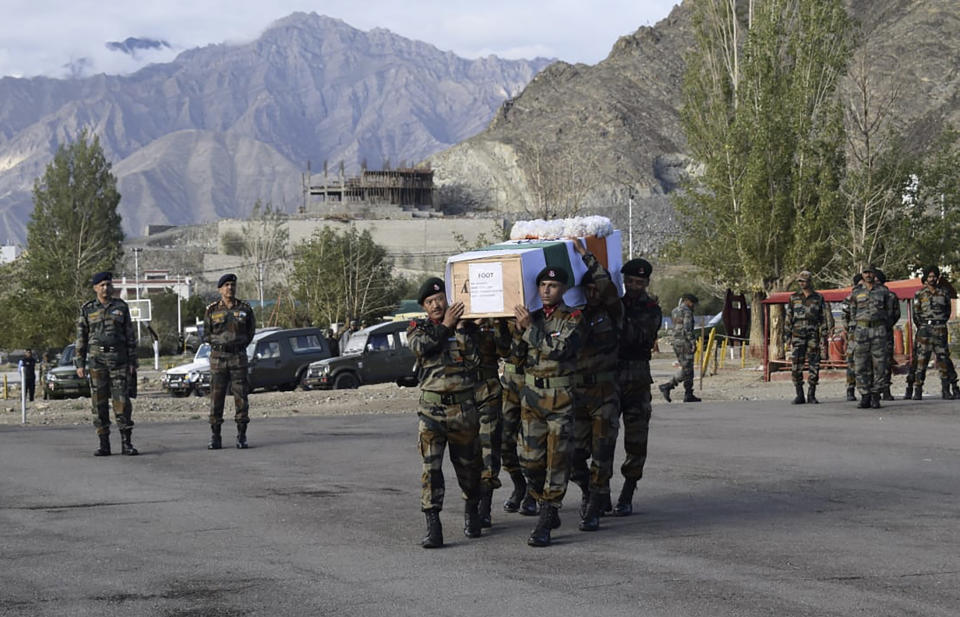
<point>378,354</point>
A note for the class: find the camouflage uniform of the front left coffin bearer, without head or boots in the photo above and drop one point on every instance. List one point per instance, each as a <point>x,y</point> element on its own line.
<point>447,363</point>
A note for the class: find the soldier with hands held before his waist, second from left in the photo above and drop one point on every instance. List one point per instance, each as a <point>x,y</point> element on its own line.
<point>228,325</point>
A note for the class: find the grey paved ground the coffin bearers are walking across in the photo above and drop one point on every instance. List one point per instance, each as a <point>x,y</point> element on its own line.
<point>752,509</point>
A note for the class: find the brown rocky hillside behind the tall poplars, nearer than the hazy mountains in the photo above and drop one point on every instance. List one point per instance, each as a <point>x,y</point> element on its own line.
<point>619,119</point>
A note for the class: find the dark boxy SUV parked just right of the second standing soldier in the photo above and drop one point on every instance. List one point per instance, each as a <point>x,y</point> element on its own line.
<point>279,358</point>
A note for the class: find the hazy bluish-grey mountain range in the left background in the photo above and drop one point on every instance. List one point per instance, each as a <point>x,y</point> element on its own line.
<point>208,134</point>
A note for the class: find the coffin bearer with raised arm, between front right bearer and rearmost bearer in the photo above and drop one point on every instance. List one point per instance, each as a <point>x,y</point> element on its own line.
<point>596,394</point>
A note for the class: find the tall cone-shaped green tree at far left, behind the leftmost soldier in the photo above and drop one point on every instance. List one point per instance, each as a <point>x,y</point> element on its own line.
<point>73,232</point>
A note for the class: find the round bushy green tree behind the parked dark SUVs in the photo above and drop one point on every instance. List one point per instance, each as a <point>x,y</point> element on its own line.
<point>342,276</point>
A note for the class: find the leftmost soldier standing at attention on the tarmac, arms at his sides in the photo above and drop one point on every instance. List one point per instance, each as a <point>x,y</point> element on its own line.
<point>107,343</point>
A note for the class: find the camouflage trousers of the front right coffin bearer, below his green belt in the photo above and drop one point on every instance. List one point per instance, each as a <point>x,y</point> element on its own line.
<point>546,425</point>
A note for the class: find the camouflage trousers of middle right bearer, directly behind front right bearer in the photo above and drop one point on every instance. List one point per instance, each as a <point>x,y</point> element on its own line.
<point>596,423</point>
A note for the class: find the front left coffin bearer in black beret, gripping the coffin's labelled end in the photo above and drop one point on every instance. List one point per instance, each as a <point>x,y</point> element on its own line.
<point>447,360</point>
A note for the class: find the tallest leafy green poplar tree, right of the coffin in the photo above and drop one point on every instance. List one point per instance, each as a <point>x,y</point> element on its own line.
<point>763,122</point>
